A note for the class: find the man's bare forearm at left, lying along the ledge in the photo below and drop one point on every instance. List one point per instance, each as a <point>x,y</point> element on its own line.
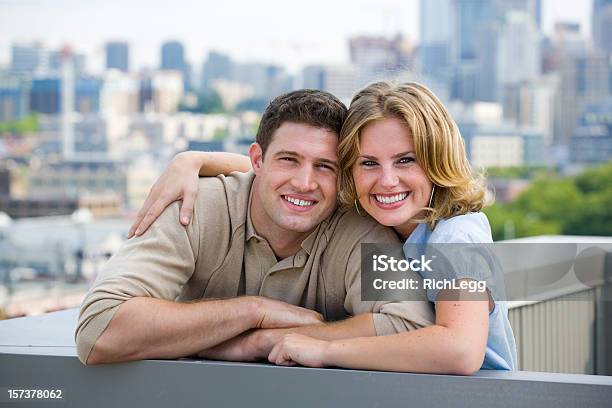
<point>155,328</point>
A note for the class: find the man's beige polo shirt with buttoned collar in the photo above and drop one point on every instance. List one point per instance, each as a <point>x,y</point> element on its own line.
<point>220,255</point>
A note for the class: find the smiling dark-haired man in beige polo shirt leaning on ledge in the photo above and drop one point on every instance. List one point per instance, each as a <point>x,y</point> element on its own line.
<point>263,252</point>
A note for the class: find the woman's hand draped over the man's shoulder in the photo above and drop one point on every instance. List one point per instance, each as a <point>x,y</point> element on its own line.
<point>178,181</point>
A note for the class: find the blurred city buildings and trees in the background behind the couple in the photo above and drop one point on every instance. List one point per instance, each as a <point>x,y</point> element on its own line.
<point>84,134</point>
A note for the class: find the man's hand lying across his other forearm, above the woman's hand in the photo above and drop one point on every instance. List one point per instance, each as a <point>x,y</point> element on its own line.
<point>273,314</point>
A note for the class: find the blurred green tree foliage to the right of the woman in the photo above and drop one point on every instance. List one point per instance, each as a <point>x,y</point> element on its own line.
<point>580,205</point>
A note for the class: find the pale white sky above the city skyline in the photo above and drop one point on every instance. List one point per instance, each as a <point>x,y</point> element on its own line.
<point>285,32</point>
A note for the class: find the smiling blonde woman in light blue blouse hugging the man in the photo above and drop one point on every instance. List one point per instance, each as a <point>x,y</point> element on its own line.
<point>403,162</point>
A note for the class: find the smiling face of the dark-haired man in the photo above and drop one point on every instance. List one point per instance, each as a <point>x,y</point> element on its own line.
<point>295,184</point>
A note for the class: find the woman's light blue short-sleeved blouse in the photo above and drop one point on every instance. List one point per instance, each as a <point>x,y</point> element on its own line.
<point>500,353</point>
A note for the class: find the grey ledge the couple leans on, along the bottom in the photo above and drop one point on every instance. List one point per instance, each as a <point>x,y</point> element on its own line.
<point>38,352</point>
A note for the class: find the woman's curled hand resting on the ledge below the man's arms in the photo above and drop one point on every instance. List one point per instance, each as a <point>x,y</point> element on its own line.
<point>296,349</point>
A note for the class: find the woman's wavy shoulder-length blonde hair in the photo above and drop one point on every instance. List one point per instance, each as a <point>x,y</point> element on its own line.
<point>439,146</point>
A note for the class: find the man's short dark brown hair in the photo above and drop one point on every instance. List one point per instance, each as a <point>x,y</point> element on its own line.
<point>312,107</point>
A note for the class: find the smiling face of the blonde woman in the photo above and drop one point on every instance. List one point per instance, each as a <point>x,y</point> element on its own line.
<point>391,186</point>
